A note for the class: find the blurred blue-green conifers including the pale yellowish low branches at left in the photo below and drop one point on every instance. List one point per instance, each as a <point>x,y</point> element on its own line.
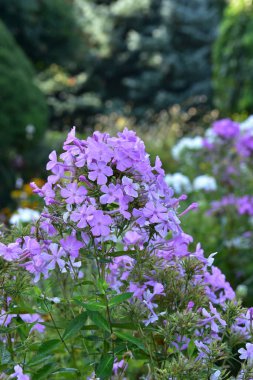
<point>141,58</point>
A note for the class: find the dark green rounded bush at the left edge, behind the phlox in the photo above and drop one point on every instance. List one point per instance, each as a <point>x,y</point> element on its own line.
<point>23,116</point>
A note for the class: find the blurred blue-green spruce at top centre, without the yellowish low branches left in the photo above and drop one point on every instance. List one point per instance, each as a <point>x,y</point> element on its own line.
<point>153,53</point>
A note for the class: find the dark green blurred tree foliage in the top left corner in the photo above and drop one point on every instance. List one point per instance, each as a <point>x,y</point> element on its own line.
<point>46,30</point>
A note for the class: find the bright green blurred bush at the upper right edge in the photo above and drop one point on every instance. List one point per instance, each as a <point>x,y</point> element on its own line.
<point>233,59</point>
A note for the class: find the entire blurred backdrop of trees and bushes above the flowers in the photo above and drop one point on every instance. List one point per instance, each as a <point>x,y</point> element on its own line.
<point>163,67</point>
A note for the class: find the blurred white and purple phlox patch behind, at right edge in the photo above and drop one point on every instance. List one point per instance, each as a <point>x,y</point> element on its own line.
<point>219,175</point>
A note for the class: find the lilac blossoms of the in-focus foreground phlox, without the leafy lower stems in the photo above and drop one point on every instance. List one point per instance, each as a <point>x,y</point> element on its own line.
<point>104,198</point>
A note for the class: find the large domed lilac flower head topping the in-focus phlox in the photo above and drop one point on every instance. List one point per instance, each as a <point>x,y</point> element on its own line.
<point>97,184</point>
